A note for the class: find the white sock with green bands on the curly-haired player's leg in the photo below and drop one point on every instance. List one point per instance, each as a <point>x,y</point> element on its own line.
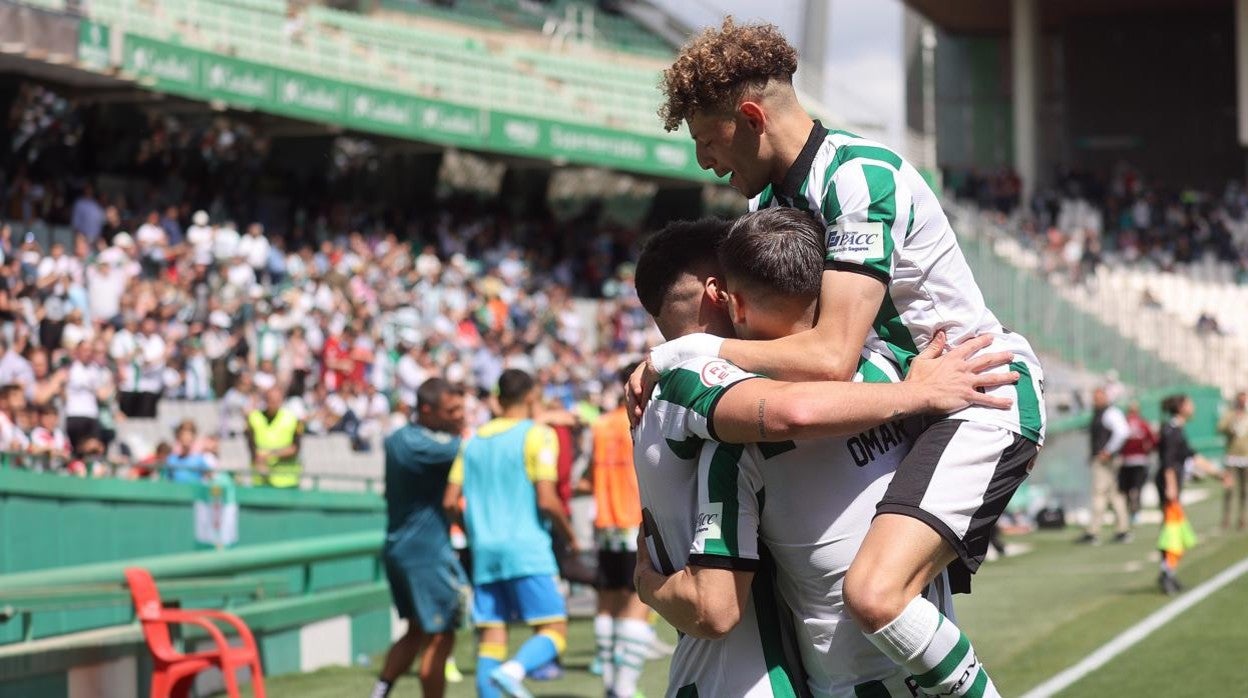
<point>935,651</point>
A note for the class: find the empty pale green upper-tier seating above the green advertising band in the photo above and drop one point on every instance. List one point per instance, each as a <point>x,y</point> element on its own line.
<point>452,63</point>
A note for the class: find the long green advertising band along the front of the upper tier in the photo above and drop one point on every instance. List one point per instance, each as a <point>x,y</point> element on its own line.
<point>198,74</point>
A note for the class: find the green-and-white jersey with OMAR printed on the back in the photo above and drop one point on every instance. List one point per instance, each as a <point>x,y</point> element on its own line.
<point>811,504</point>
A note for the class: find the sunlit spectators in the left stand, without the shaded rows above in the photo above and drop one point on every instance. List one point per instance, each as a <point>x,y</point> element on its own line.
<point>108,327</point>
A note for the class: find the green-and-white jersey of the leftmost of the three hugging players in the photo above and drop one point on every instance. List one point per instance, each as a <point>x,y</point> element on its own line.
<point>751,661</point>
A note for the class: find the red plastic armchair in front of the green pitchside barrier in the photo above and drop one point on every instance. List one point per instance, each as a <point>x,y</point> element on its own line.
<point>174,672</point>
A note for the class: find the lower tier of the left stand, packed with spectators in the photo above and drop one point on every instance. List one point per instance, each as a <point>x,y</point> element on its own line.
<point>472,293</point>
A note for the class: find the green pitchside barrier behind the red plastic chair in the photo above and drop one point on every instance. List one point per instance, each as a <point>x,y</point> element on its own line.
<point>299,625</point>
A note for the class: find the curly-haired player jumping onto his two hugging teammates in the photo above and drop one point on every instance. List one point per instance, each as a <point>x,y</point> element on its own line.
<point>894,277</point>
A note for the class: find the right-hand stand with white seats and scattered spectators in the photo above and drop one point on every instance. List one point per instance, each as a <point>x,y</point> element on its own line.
<point>1165,269</point>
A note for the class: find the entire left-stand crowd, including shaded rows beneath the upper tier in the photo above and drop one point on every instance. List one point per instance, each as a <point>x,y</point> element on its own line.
<point>203,270</point>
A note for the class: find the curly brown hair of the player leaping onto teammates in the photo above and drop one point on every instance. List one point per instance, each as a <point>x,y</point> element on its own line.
<point>719,66</point>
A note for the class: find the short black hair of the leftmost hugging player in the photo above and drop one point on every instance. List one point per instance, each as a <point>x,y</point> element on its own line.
<point>673,252</point>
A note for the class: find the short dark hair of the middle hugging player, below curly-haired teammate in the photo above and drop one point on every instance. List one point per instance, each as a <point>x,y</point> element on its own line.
<point>778,252</point>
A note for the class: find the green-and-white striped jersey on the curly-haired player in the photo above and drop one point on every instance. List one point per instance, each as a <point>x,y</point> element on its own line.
<point>884,222</point>
